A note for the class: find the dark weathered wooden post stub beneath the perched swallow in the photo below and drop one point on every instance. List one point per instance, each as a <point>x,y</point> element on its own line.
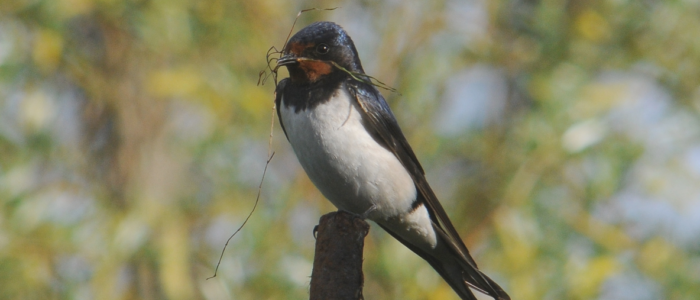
<point>337,272</point>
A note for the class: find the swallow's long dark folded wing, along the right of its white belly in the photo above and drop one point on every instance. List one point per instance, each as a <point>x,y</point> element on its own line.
<point>382,121</point>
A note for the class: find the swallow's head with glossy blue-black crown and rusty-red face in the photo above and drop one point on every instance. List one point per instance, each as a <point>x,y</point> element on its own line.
<point>311,53</point>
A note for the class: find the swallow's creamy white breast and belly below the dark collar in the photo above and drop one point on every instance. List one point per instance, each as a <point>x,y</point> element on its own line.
<point>345,162</point>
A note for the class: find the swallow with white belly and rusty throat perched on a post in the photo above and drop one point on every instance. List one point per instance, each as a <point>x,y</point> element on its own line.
<point>350,145</point>
